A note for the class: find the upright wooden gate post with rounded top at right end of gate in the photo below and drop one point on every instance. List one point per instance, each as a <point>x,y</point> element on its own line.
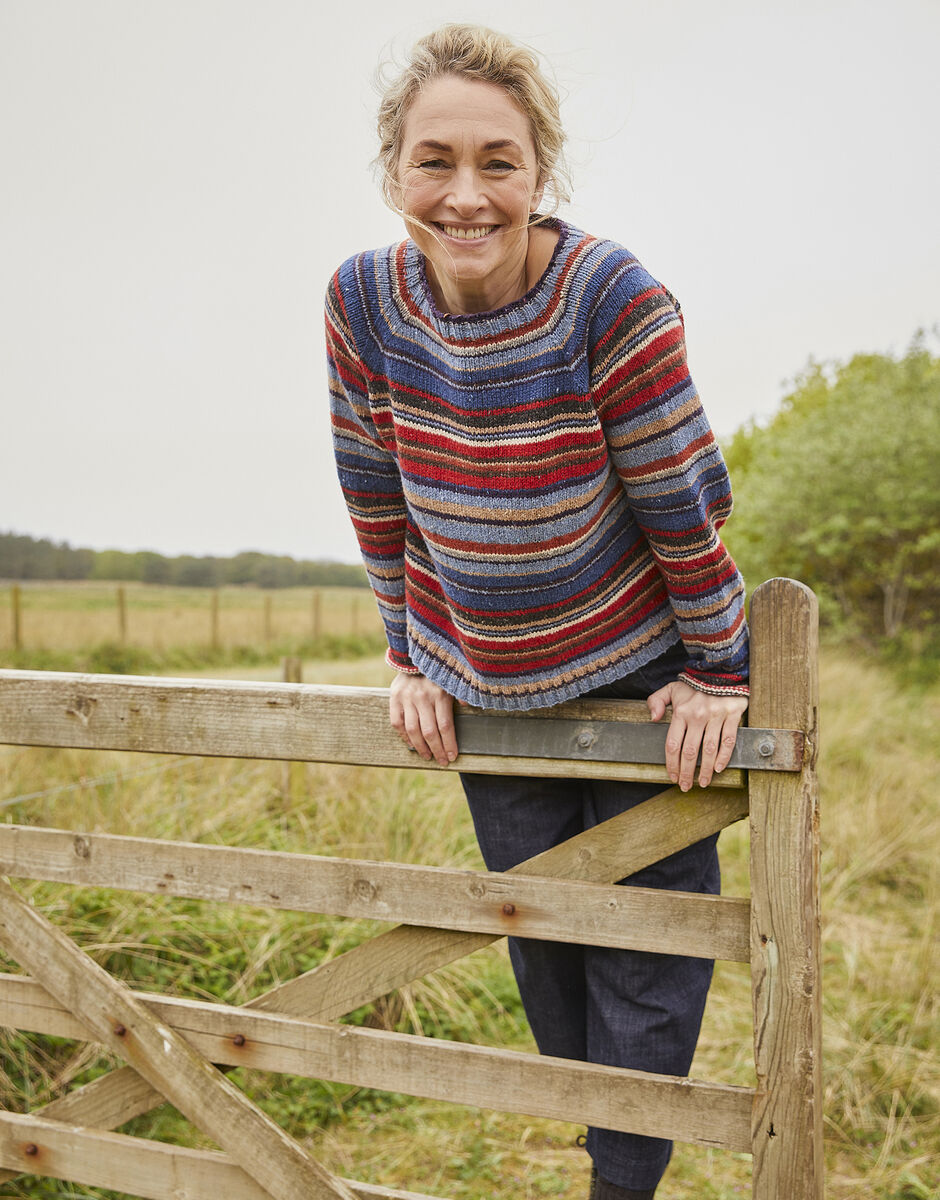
<point>786,922</point>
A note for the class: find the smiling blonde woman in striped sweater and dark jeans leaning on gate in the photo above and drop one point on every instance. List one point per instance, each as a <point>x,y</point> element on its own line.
<point>537,496</point>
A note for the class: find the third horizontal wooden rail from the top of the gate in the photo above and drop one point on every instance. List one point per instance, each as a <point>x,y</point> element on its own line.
<point>506,1081</point>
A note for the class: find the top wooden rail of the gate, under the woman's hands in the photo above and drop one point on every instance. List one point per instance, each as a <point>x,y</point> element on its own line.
<point>253,721</point>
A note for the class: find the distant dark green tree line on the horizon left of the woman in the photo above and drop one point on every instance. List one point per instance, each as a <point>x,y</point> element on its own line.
<point>25,559</point>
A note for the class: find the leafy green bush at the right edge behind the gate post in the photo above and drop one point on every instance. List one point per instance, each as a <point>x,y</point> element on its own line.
<point>841,490</point>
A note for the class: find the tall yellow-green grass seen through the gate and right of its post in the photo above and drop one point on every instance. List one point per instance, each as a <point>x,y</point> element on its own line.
<point>881,821</point>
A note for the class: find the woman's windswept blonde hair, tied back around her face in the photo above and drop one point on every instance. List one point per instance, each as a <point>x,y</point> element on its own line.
<point>476,53</point>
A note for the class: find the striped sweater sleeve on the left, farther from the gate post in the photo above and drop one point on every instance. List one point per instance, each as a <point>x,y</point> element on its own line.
<point>369,477</point>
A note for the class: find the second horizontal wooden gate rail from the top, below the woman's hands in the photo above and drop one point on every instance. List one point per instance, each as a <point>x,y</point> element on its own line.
<point>478,902</point>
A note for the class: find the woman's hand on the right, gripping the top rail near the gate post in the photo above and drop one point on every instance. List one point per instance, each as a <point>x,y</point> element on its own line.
<point>699,722</point>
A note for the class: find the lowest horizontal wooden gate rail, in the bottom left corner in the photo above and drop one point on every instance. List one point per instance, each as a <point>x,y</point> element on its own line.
<point>137,1167</point>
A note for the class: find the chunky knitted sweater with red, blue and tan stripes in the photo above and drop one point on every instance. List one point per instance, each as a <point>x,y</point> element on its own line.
<point>536,490</point>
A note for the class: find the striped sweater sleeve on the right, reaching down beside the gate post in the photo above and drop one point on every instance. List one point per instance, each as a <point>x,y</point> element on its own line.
<point>673,473</point>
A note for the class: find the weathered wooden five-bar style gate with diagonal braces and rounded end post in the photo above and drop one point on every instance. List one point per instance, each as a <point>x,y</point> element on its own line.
<point>178,1049</point>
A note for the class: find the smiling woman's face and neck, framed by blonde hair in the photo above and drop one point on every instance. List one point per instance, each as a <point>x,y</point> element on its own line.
<point>468,172</point>
